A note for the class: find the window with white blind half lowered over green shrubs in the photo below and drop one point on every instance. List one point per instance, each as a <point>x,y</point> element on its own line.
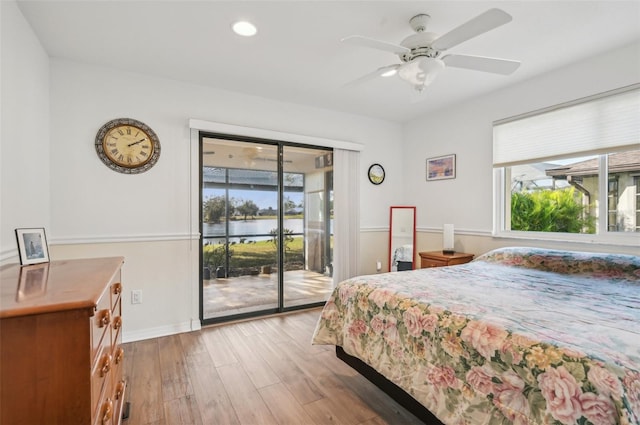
<point>570,172</point>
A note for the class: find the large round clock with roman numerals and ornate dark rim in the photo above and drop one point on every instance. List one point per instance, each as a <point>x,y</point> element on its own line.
<point>127,146</point>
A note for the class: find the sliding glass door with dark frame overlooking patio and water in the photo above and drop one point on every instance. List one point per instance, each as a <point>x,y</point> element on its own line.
<point>266,221</point>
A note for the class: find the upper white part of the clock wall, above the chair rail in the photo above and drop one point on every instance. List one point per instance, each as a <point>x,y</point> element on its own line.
<point>91,201</point>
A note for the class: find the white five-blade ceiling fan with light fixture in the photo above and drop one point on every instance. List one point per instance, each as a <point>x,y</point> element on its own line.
<point>421,53</point>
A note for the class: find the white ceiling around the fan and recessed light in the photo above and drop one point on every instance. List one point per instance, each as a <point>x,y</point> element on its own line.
<point>297,55</point>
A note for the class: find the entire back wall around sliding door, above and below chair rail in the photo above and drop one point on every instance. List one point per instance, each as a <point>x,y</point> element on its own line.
<point>95,211</point>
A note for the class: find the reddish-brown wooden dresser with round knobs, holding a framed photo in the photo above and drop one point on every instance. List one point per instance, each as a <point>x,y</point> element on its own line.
<point>60,343</point>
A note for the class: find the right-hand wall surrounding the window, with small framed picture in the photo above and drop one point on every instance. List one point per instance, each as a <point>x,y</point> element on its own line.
<point>466,130</point>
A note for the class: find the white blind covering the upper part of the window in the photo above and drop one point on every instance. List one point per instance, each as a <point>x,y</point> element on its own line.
<point>598,124</point>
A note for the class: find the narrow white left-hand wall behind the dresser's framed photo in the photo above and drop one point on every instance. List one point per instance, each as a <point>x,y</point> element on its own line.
<point>24,134</point>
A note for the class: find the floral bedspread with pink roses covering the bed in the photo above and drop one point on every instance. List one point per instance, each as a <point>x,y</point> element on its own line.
<point>519,335</point>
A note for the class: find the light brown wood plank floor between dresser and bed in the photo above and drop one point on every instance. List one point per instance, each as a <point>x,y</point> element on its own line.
<point>263,371</point>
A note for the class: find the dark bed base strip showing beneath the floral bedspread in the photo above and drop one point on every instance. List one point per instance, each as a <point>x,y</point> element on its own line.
<point>391,389</point>
